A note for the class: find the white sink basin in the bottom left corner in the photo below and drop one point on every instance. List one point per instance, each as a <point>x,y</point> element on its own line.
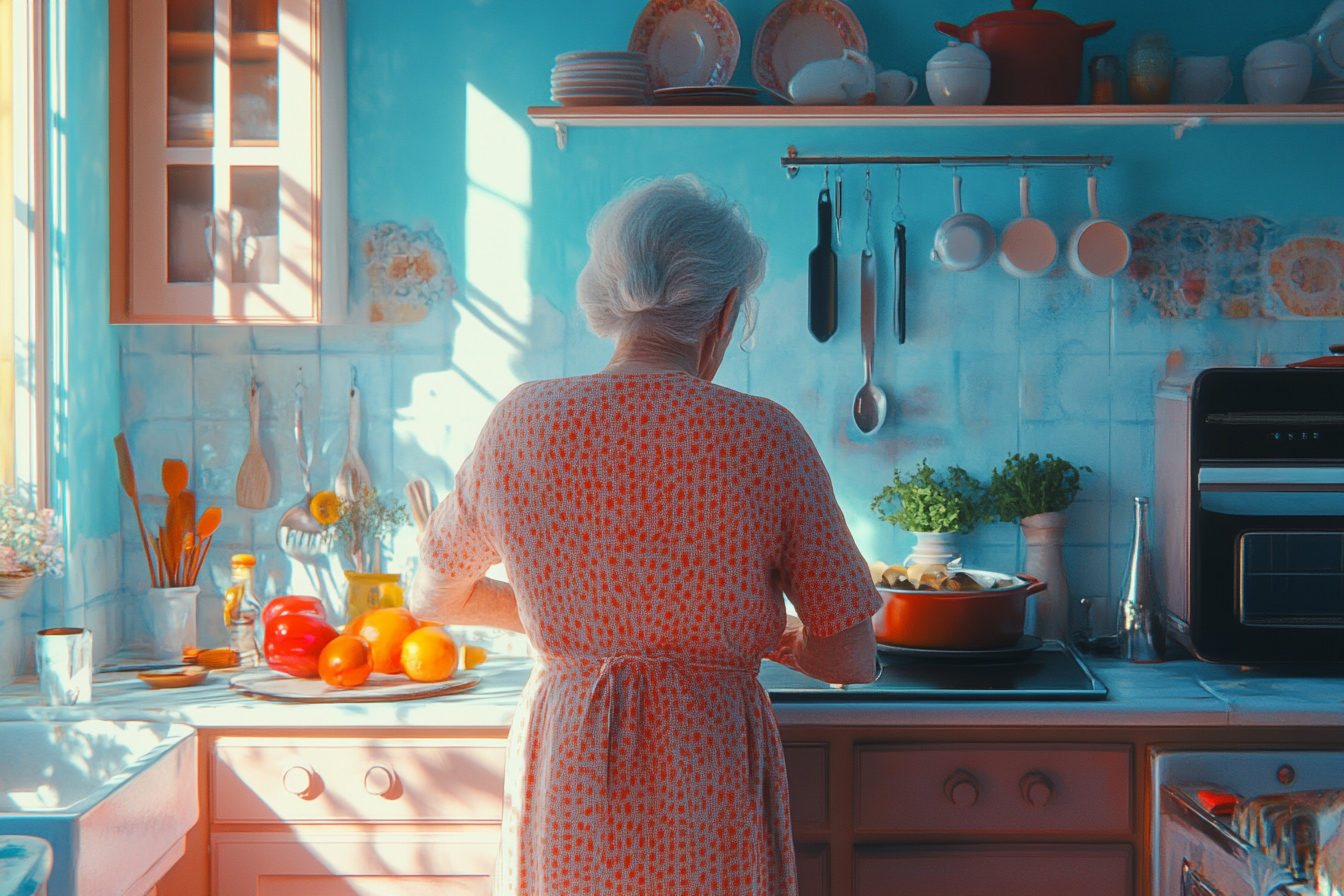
<point>114,799</point>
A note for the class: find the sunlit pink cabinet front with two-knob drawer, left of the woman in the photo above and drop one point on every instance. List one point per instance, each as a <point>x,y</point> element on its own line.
<point>354,816</point>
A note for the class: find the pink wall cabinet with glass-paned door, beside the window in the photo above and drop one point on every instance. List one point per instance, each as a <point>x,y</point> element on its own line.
<point>229,220</point>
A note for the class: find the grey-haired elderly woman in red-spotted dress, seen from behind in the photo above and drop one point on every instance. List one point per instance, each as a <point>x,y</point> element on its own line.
<point>651,523</point>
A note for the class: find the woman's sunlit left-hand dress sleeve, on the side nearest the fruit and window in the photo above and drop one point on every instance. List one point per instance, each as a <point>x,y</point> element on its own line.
<point>458,543</point>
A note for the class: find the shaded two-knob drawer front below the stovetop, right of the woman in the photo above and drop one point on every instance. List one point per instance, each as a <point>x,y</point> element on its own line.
<point>1001,789</point>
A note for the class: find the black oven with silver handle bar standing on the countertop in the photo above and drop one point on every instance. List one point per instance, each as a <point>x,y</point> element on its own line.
<point>1251,514</point>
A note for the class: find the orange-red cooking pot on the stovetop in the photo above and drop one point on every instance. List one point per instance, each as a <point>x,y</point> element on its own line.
<point>958,620</point>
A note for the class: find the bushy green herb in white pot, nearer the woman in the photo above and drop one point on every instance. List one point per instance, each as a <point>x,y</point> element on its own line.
<point>935,508</point>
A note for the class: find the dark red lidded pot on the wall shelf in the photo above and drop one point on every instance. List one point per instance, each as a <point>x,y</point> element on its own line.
<point>1037,56</point>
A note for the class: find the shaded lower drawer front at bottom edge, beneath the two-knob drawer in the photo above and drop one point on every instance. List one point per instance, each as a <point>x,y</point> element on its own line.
<point>994,871</point>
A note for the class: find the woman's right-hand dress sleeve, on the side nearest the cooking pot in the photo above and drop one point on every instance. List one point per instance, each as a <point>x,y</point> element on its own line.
<point>823,573</point>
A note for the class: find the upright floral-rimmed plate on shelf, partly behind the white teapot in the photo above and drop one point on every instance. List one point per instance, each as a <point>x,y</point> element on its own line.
<point>802,32</point>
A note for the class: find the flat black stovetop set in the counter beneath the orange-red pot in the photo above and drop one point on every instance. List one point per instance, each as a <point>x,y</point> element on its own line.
<point>1054,672</point>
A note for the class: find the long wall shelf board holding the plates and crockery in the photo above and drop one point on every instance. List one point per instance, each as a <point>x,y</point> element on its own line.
<point>1181,119</point>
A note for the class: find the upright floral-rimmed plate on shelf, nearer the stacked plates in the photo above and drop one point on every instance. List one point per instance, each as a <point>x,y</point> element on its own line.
<point>690,44</point>
